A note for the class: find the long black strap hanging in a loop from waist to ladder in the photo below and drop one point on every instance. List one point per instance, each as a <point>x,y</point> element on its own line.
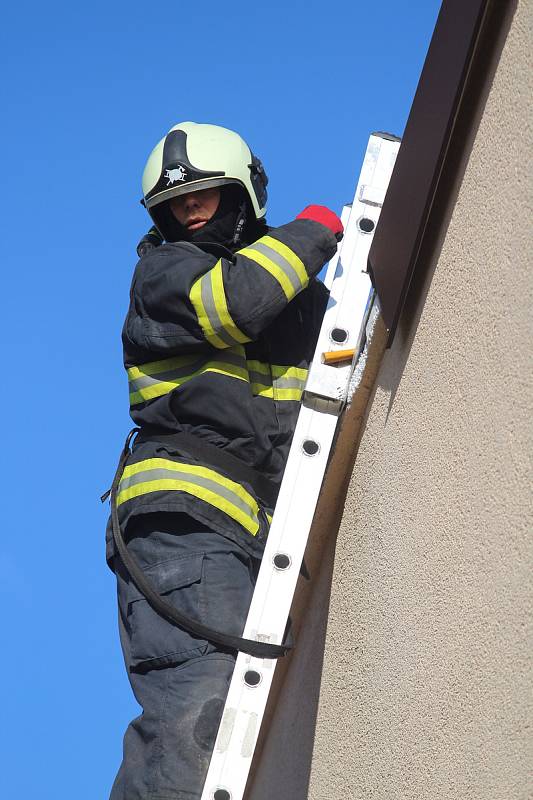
<point>164,609</point>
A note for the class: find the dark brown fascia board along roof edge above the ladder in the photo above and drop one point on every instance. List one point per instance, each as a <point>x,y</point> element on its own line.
<point>428,133</point>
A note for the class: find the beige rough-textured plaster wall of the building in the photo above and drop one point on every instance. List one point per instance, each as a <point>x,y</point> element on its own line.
<point>425,687</point>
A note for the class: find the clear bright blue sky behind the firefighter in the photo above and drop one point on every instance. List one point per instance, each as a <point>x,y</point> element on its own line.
<point>87,92</point>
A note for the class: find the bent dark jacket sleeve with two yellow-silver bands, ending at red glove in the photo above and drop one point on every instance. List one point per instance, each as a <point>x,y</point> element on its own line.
<point>183,298</point>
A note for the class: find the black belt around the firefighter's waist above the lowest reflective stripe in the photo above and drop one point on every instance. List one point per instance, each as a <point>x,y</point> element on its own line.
<point>192,446</point>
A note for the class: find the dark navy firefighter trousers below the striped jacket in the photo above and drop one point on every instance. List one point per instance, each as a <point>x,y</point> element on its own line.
<point>180,681</point>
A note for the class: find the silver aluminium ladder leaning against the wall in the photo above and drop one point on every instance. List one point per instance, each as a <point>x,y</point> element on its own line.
<point>326,391</point>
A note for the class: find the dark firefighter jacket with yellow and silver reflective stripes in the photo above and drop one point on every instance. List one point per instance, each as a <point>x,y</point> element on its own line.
<point>218,347</point>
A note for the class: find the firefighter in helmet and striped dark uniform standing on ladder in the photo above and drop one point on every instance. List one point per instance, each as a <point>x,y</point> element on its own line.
<point>221,327</point>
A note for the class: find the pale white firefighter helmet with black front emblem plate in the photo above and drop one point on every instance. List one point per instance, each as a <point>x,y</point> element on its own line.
<point>192,157</point>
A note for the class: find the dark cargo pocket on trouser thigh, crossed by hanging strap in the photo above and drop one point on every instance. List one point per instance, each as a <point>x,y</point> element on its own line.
<point>154,641</point>
